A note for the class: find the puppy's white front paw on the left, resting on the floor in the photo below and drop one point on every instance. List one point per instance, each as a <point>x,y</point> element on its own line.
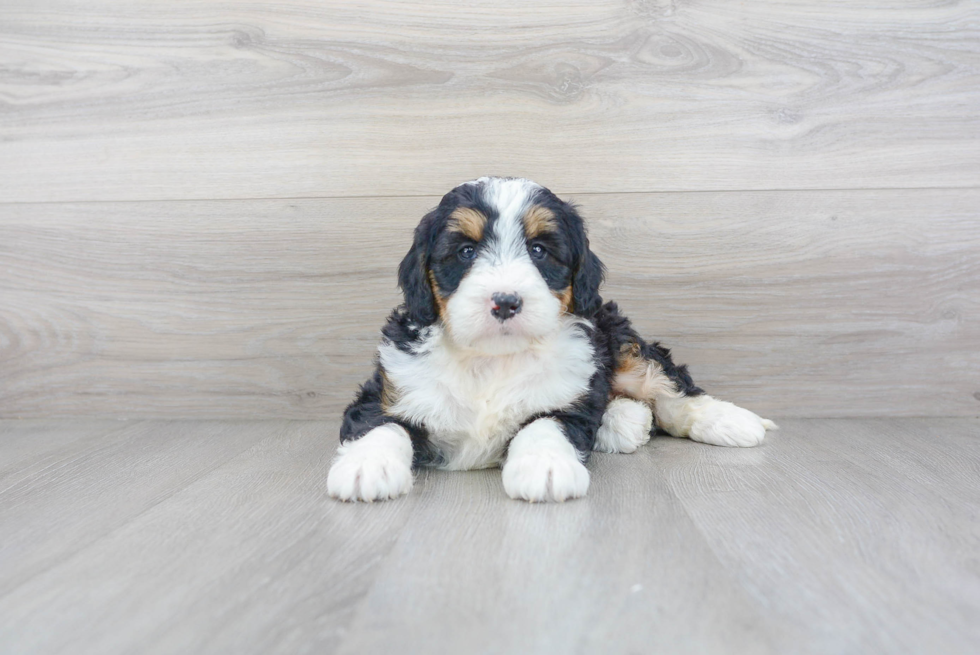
<point>375,467</point>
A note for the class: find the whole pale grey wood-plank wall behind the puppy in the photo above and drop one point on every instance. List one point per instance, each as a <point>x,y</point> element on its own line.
<point>203,204</point>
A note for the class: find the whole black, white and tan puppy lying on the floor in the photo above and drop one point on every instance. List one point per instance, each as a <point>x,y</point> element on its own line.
<point>504,354</point>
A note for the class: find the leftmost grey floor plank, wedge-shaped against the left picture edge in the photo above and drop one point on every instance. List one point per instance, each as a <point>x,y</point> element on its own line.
<point>67,499</point>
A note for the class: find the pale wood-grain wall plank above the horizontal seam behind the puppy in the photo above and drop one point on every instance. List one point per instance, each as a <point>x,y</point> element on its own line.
<point>104,101</point>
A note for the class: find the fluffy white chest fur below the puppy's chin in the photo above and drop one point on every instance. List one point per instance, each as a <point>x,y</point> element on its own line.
<point>472,405</point>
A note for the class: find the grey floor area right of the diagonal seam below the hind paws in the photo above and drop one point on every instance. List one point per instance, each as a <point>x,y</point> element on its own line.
<point>826,536</point>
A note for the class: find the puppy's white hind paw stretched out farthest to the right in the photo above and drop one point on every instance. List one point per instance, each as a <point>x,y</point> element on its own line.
<point>708,420</point>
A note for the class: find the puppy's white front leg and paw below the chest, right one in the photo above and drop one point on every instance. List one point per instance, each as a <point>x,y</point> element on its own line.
<point>542,466</point>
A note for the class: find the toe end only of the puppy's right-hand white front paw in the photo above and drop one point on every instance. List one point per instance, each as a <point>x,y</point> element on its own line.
<point>545,478</point>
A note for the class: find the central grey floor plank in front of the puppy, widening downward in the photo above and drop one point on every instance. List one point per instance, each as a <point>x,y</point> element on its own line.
<point>625,572</point>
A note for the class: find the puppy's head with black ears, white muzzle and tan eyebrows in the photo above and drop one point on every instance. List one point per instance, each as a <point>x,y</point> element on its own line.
<point>499,262</point>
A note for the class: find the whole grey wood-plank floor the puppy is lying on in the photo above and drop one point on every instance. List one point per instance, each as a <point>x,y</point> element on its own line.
<point>836,536</point>
